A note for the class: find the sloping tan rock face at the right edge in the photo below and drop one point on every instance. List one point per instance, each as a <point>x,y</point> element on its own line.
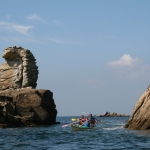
<point>140,117</point>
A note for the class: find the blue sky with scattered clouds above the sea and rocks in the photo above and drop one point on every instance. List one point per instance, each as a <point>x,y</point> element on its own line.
<point>92,54</point>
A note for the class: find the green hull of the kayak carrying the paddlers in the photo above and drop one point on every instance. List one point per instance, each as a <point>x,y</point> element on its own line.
<point>76,127</point>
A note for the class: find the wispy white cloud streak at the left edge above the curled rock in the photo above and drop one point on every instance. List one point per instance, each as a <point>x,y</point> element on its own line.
<point>15,27</point>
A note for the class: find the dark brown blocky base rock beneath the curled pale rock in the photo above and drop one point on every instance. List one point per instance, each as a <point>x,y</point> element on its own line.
<point>27,107</point>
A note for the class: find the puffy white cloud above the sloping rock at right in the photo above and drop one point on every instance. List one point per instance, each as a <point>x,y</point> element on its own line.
<point>129,67</point>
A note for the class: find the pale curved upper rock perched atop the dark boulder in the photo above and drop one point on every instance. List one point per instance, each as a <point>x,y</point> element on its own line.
<point>19,70</point>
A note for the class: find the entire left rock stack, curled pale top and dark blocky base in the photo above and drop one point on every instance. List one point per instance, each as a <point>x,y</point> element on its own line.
<point>21,104</point>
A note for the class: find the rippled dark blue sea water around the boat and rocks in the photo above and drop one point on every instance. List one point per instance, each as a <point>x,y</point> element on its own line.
<point>108,136</point>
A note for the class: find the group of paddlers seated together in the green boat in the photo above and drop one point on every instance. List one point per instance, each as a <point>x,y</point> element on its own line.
<point>87,122</point>
